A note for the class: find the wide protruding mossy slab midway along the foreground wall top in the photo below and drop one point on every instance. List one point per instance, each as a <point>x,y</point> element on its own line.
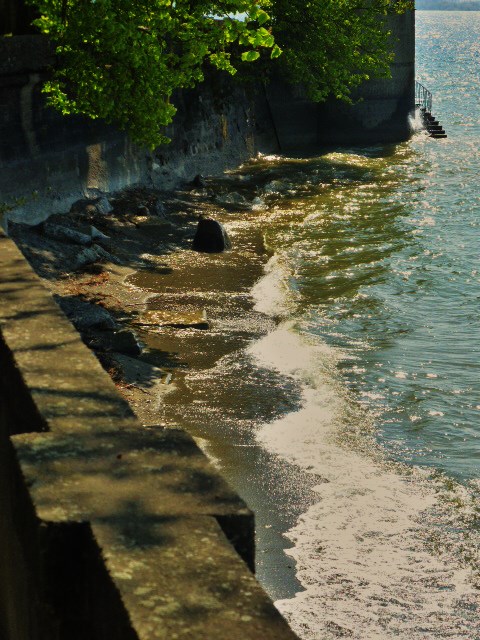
<point>130,473</point>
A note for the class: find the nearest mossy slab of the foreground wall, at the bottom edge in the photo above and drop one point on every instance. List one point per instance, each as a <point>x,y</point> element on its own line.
<point>180,579</point>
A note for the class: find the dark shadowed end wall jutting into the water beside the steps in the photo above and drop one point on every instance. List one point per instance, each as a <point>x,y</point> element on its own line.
<point>380,115</point>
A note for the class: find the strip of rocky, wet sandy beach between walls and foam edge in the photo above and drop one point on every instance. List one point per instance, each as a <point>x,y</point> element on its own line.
<point>172,326</point>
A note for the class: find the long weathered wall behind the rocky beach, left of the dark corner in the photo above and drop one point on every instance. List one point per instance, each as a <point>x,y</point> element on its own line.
<point>47,161</point>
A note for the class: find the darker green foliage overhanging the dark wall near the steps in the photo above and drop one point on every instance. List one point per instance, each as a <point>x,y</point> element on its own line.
<point>332,46</point>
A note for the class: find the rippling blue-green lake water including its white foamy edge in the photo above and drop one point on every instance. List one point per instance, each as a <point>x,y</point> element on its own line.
<point>376,275</point>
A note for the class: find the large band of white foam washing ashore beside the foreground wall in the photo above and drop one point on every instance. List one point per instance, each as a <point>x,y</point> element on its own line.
<point>361,551</point>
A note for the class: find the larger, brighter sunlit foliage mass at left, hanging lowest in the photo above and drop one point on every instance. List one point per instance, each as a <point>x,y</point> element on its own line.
<point>121,60</point>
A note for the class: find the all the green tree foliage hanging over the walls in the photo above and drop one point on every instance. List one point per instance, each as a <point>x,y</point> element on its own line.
<point>122,60</point>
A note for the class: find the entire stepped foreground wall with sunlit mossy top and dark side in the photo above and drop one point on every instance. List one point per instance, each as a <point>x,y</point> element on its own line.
<point>107,529</point>
